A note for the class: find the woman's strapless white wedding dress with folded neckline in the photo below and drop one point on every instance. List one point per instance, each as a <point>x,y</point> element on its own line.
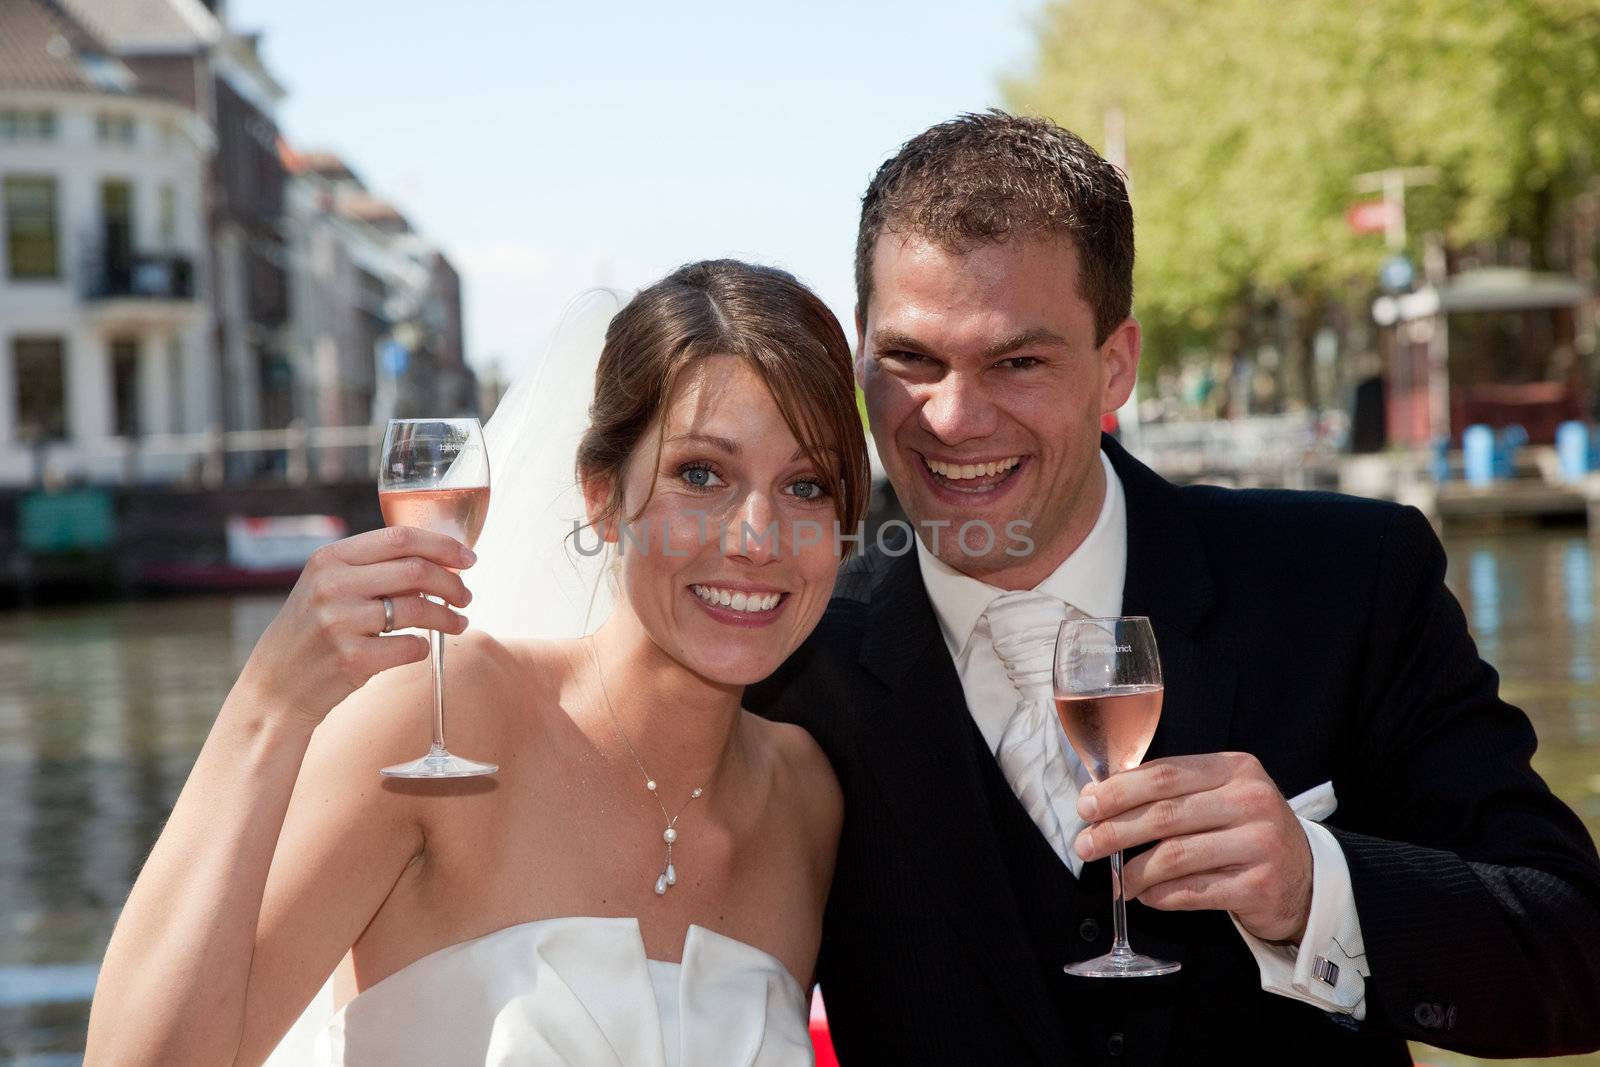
<point>566,993</point>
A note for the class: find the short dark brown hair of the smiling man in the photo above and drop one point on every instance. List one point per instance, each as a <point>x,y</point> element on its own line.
<point>993,177</point>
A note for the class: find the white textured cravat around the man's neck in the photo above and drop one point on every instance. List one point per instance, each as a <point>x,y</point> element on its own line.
<point>1033,757</point>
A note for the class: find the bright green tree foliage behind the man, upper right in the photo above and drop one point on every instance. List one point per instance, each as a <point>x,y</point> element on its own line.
<point>1247,122</point>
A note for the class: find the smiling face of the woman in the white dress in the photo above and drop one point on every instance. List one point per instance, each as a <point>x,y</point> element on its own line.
<point>730,556</point>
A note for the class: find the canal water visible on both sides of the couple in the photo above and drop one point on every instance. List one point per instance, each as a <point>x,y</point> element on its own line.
<point>105,708</point>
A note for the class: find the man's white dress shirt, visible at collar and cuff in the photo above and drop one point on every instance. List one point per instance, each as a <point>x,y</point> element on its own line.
<point>1092,581</point>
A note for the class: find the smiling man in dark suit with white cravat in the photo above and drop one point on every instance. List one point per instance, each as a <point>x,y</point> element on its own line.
<point>1422,882</point>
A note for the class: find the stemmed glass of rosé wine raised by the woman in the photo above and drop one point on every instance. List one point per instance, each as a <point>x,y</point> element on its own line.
<point>436,476</point>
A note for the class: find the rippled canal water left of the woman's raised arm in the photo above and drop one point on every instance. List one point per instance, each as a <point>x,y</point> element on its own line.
<point>102,714</point>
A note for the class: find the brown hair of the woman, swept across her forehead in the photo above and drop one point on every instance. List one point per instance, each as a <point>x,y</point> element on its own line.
<point>727,308</point>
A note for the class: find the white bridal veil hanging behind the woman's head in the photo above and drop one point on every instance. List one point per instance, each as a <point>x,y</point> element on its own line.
<point>534,577</point>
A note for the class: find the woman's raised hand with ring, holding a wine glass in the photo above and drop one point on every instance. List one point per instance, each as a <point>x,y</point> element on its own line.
<point>329,642</point>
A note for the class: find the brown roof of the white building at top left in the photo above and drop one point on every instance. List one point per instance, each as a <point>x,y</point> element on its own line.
<point>42,47</point>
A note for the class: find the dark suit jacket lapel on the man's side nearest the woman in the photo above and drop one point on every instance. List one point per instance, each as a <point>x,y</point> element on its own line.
<point>926,762</point>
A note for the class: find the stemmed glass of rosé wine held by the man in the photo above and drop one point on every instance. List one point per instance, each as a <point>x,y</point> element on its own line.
<point>1108,684</point>
